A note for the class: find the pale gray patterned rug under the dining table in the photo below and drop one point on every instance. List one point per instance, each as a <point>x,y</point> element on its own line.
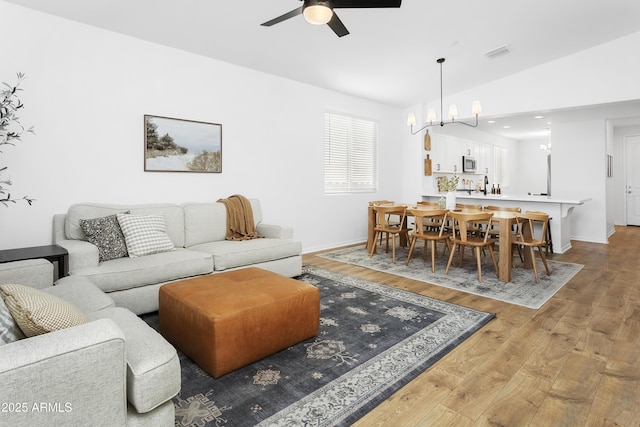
<point>522,290</point>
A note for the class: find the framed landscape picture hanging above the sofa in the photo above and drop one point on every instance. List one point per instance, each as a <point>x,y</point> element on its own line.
<point>176,145</point>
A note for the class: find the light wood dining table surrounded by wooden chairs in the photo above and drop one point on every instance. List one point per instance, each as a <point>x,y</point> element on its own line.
<point>503,219</point>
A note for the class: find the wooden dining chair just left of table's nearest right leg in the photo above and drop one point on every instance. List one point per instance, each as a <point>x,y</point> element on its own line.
<point>461,222</point>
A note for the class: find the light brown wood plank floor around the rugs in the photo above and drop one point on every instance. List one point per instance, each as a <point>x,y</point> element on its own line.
<point>573,362</point>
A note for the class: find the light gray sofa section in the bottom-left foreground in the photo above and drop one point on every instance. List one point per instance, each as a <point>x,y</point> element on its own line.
<point>113,370</point>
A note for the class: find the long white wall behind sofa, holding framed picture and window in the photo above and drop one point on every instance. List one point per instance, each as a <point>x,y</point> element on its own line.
<point>86,93</point>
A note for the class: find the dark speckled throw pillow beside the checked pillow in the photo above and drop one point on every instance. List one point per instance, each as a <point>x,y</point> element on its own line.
<point>106,234</point>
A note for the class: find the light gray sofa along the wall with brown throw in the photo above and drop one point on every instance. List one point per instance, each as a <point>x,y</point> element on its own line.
<point>197,231</point>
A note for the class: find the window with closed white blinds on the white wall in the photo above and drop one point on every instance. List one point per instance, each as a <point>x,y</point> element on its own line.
<point>350,161</point>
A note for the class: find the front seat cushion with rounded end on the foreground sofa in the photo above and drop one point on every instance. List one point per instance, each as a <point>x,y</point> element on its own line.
<point>153,366</point>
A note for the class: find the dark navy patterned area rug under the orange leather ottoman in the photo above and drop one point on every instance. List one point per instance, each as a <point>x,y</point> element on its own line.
<point>373,340</point>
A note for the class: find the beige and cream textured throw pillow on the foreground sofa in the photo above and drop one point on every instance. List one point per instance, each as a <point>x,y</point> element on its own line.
<point>38,312</point>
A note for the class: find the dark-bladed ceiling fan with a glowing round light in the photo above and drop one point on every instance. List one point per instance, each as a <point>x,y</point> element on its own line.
<point>319,12</point>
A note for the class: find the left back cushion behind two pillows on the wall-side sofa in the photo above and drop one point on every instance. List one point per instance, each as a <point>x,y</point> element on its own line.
<point>173,215</point>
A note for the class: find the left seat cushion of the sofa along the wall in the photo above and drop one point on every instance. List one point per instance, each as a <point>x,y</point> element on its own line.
<point>126,273</point>
